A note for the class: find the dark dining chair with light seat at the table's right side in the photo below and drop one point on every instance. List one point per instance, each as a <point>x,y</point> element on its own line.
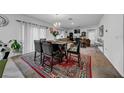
<point>75,50</point>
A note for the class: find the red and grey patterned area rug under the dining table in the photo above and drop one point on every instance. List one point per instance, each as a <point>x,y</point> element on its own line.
<point>65,69</point>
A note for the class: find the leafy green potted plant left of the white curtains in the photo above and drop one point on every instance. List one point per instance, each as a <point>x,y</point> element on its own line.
<point>15,45</point>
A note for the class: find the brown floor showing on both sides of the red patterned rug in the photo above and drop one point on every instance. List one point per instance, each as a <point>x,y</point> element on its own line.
<point>101,66</point>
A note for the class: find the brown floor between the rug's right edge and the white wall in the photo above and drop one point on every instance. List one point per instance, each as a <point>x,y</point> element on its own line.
<point>101,66</point>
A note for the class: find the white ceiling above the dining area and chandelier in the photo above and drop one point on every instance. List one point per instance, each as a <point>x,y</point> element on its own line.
<point>70,20</point>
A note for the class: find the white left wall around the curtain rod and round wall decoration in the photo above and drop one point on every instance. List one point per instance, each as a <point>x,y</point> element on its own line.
<point>13,30</point>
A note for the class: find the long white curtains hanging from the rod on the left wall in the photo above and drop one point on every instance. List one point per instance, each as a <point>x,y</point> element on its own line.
<point>29,34</point>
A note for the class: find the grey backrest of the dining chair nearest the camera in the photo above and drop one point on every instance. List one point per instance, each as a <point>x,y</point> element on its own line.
<point>47,48</point>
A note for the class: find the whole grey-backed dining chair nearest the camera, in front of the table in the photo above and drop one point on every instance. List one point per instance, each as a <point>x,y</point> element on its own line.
<point>50,51</point>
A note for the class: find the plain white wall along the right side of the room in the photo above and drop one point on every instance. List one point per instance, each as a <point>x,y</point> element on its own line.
<point>113,40</point>
